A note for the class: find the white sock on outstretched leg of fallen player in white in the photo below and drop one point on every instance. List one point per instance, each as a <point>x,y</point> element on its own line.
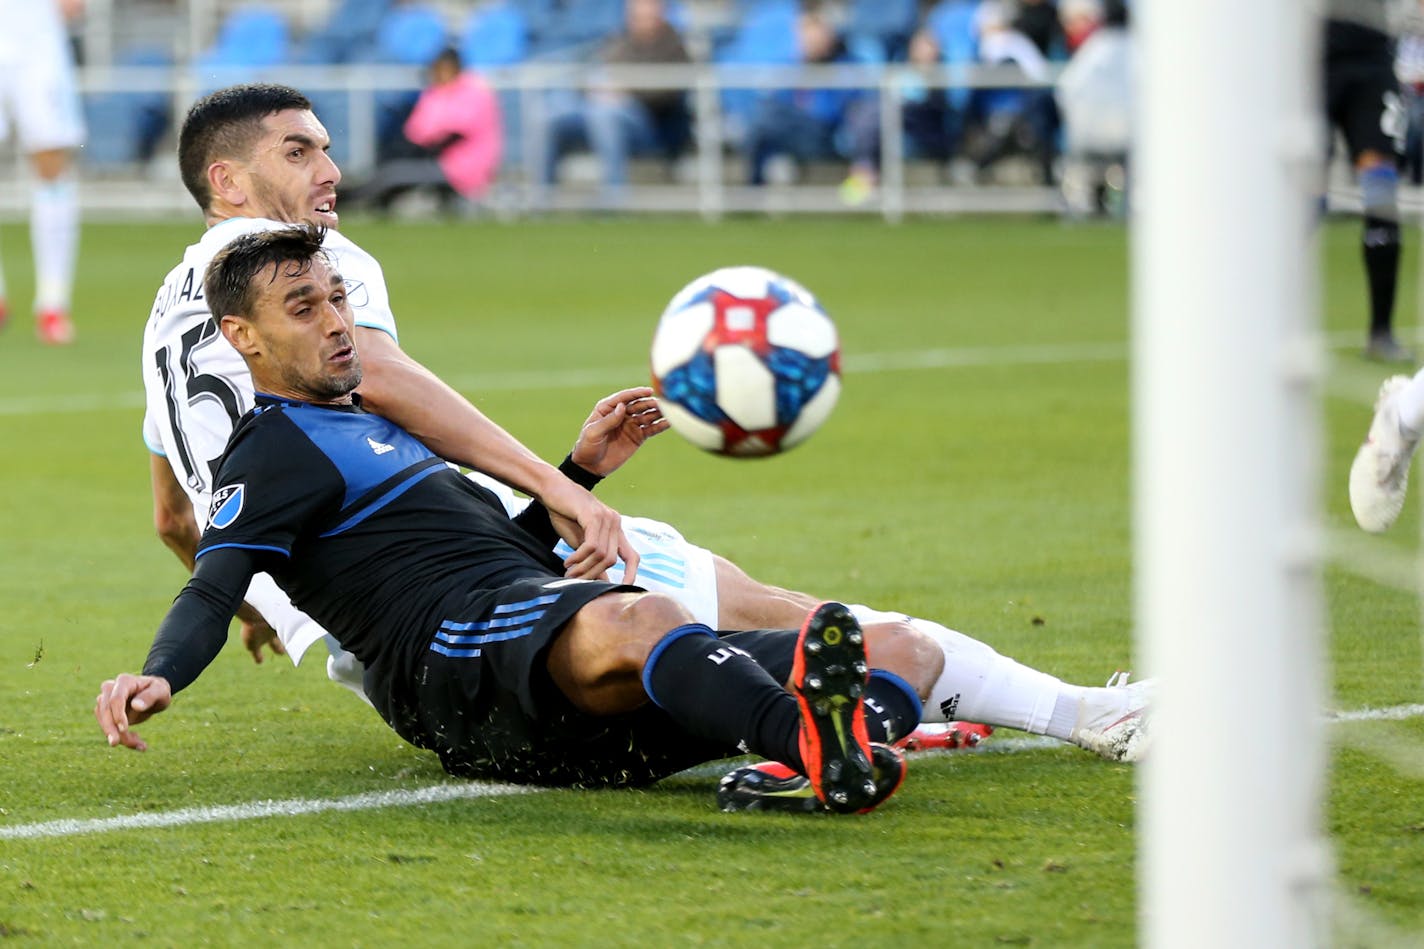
<point>979,685</point>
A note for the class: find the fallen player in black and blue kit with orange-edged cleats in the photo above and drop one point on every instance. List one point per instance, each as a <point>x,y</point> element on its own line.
<point>475,643</point>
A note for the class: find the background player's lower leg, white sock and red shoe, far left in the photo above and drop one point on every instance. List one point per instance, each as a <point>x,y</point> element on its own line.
<point>55,226</point>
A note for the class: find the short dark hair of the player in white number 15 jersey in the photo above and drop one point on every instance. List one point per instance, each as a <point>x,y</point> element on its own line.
<point>227,125</point>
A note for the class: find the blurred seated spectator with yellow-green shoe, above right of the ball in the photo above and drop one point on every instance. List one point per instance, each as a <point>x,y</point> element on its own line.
<point>926,119</point>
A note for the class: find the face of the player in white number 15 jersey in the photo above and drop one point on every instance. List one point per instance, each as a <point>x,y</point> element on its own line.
<point>291,177</point>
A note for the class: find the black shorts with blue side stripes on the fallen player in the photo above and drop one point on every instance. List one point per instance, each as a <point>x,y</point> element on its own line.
<point>499,716</point>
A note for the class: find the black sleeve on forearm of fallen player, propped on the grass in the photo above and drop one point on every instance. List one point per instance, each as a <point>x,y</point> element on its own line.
<point>197,625</point>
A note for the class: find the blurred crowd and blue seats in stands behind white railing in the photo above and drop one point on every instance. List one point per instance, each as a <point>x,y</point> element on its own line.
<point>482,133</point>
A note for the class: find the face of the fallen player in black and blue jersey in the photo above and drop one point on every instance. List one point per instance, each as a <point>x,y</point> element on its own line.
<point>304,330</point>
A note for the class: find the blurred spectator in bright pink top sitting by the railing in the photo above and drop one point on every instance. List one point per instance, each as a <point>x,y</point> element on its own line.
<point>454,140</point>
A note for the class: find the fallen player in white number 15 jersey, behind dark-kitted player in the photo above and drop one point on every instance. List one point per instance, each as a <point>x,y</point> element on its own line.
<point>254,156</point>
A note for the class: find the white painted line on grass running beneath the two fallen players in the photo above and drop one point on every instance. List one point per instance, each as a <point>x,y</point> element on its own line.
<point>469,790</point>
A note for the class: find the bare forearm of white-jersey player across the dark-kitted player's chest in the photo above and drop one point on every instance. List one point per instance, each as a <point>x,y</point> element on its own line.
<point>398,388</point>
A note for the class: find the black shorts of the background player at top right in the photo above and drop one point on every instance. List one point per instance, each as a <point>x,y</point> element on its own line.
<point>1362,95</point>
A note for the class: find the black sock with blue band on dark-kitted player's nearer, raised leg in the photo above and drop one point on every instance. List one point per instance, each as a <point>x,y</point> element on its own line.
<point>718,692</point>
